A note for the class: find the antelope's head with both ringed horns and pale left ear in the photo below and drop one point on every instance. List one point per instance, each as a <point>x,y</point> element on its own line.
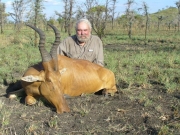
<point>50,86</point>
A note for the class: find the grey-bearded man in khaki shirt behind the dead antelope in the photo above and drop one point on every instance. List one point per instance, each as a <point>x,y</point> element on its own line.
<point>83,45</point>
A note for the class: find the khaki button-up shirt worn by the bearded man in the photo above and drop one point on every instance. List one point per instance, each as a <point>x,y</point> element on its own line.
<point>91,51</point>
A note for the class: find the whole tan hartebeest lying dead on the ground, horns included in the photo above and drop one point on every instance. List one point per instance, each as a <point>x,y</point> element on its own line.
<point>57,75</point>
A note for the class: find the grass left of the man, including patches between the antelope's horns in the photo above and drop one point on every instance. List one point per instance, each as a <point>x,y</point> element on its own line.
<point>17,53</point>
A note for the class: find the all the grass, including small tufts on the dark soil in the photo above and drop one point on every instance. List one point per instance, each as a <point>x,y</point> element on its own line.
<point>133,63</point>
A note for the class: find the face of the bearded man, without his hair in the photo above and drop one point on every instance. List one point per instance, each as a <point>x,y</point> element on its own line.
<point>83,32</point>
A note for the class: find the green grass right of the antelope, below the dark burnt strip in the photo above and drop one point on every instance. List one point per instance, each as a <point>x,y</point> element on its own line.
<point>141,66</point>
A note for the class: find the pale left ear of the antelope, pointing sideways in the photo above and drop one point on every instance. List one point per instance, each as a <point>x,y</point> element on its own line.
<point>32,78</point>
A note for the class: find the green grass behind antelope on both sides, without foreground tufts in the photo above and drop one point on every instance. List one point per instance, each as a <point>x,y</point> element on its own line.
<point>132,62</point>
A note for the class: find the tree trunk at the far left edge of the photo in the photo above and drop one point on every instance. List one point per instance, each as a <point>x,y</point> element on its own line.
<point>2,15</point>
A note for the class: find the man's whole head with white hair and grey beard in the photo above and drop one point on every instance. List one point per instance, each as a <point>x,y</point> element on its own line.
<point>83,30</point>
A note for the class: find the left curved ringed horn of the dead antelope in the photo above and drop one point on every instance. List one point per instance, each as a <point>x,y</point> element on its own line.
<point>44,54</point>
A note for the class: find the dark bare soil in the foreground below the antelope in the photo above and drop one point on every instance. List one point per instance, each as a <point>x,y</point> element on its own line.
<point>126,113</point>
